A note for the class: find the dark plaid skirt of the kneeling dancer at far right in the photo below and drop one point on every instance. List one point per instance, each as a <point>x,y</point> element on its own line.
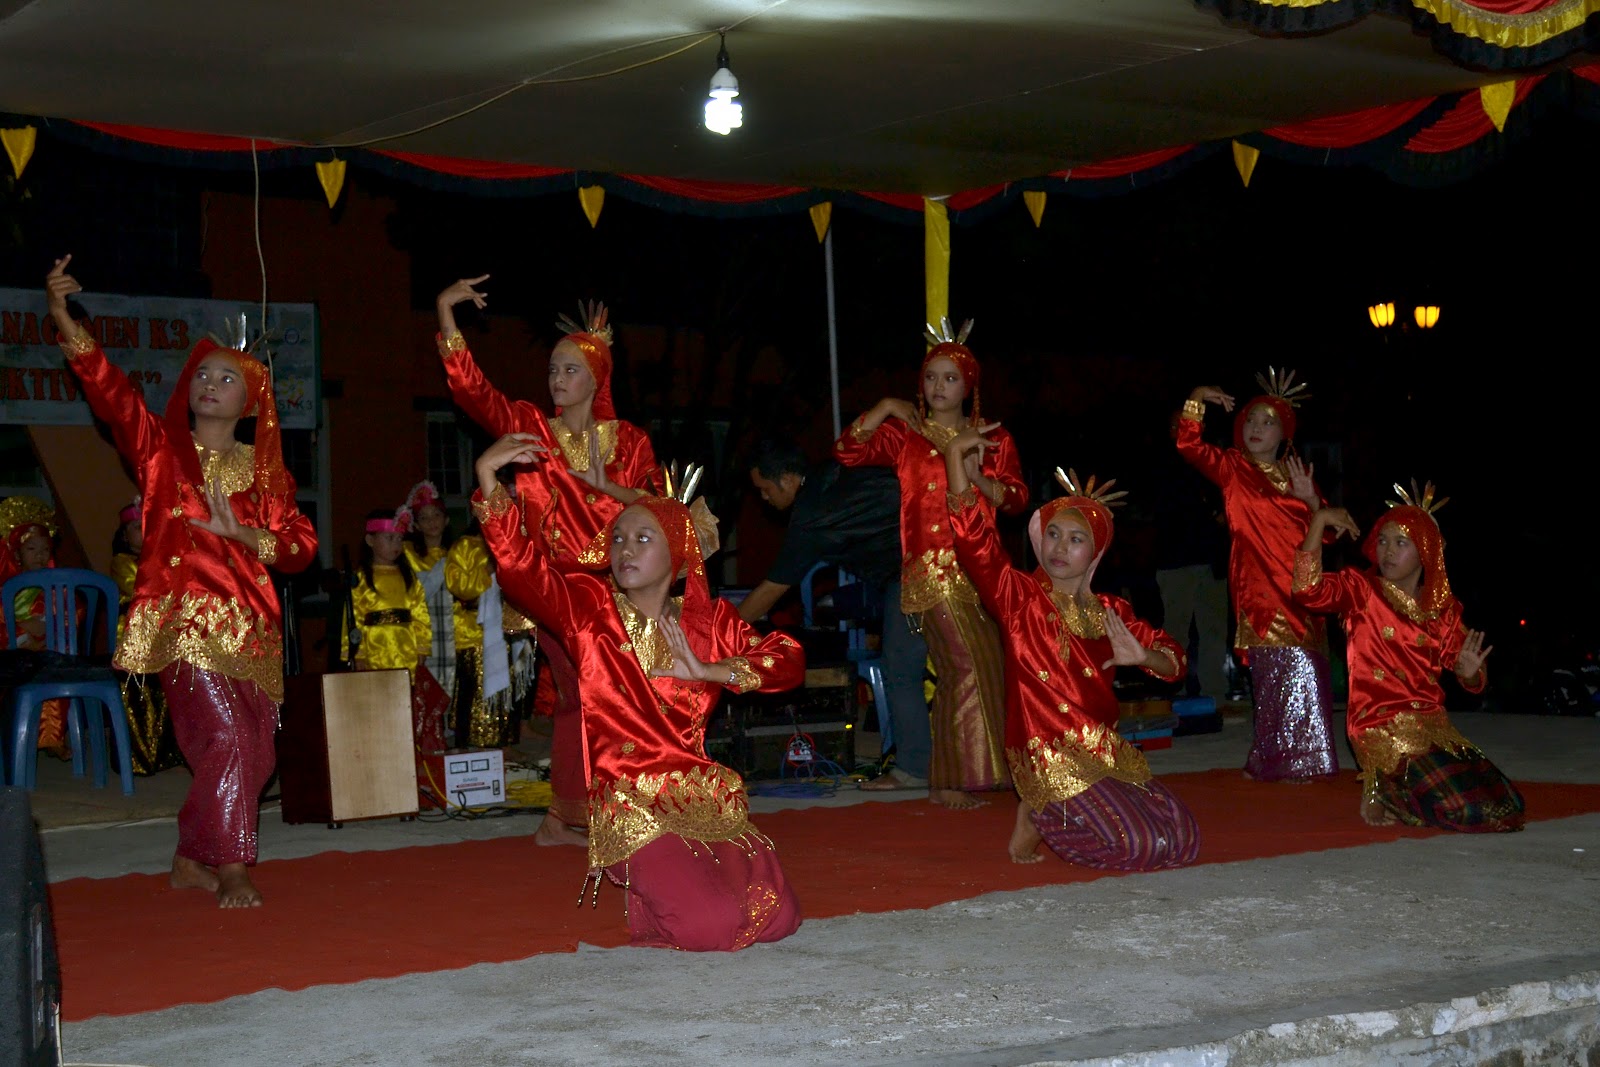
<point>1452,793</point>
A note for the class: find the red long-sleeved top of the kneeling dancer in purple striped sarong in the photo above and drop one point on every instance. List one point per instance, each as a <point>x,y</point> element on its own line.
<point>1062,711</point>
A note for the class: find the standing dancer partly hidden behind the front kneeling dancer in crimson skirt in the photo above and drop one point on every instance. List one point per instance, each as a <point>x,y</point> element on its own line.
<point>604,466</point>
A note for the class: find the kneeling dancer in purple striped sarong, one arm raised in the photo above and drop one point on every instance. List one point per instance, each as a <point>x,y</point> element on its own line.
<point>1084,791</point>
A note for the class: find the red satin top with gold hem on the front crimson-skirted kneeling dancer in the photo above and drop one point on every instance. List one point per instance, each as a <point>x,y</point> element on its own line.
<point>644,738</point>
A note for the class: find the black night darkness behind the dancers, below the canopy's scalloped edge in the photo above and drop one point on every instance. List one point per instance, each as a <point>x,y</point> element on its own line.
<point>1092,329</point>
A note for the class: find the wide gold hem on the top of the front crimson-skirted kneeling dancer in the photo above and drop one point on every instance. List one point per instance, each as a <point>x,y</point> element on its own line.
<point>700,805</point>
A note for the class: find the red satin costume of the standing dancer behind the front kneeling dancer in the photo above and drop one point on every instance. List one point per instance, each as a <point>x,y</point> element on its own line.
<point>564,513</point>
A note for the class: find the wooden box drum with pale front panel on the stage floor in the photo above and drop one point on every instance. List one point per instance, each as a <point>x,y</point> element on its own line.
<point>346,749</point>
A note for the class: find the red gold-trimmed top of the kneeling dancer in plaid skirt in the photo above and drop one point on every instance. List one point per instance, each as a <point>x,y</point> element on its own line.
<point>1396,655</point>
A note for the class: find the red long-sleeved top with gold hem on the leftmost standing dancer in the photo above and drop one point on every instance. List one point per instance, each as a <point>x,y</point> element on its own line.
<point>198,597</point>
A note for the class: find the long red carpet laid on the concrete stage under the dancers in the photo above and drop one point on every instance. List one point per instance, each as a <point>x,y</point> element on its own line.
<point>132,945</point>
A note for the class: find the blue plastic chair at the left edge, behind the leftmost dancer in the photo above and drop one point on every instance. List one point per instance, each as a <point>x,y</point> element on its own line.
<point>73,674</point>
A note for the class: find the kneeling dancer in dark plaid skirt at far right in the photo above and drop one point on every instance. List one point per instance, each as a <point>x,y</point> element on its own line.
<point>1404,631</point>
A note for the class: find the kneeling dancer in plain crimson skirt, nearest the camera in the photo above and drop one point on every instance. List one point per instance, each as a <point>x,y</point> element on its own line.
<point>666,823</point>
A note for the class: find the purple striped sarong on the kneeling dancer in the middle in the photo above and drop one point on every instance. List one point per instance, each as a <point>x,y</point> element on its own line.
<point>1116,826</point>
